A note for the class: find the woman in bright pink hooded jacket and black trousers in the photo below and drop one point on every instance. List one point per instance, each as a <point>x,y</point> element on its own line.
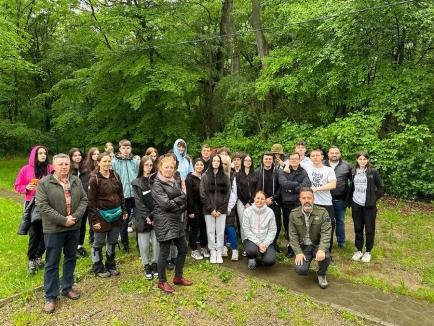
<point>26,183</point>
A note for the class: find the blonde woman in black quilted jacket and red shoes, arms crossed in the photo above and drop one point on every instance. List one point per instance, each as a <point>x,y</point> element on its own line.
<point>170,203</point>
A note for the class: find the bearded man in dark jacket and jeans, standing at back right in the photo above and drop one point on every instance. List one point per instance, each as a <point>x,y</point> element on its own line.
<point>343,176</point>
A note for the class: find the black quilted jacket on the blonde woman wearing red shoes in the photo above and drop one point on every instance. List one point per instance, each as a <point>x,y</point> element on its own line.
<point>170,202</point>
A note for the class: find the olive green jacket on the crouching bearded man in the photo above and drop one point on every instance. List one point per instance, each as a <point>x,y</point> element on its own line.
<point>319,231</point>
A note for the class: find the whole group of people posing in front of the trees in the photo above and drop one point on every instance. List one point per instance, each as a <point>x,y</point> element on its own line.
<point>214,200</point>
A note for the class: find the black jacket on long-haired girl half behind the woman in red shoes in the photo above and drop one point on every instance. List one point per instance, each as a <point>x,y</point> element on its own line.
<point>144,203</point>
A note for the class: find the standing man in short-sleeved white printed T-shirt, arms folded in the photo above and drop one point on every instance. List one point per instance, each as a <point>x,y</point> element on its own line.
<point>323,180</point>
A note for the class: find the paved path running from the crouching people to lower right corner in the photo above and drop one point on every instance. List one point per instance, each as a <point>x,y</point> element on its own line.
<point>388,308</point>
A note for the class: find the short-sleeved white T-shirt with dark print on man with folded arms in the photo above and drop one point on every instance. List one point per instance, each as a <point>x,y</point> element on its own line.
<point>319,177</point>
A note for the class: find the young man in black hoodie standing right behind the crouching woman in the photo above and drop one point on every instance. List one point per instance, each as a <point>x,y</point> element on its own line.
<point>269,183</point>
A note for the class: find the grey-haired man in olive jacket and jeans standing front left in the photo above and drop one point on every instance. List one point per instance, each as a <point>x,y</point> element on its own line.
<point>62,202</point>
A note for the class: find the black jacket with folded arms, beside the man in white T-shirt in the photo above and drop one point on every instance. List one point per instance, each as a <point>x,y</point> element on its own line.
<point>291,183</point>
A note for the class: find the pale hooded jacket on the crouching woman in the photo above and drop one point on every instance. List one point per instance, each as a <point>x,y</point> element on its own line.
<point>259,224</point>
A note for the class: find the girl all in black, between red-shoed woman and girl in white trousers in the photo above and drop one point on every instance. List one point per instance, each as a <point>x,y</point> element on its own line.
<point>196,220</point>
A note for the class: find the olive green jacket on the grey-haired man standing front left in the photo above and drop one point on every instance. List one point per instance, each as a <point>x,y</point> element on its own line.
<point>50,199</point>
